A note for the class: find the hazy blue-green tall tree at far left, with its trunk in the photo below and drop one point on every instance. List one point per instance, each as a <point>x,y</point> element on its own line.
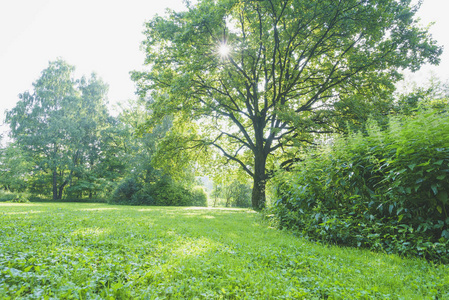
<point>57,124</point>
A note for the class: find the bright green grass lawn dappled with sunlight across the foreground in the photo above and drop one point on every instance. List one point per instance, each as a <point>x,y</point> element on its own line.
<point>99,251</point>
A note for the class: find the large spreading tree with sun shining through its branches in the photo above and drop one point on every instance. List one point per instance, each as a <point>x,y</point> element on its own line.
<point>254,79</point>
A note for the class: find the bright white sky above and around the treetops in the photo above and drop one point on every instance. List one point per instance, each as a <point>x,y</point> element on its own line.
<point>105,36</point>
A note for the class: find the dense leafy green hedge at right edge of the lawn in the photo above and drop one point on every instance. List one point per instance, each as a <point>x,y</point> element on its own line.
<point>385,189</point>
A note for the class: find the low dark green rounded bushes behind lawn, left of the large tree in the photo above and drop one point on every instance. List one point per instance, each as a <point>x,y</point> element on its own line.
<point>164,192</point>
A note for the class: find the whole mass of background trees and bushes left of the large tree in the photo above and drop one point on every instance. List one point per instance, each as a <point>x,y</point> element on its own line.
<point>66,145</point>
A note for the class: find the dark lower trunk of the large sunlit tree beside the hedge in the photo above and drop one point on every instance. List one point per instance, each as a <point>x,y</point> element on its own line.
<point>258,198</point>
